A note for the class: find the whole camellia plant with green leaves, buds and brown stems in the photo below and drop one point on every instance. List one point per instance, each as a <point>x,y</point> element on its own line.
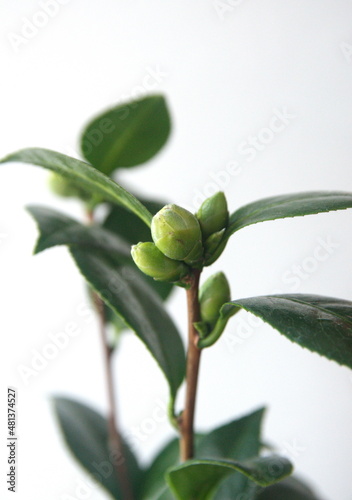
<point>170,248</point>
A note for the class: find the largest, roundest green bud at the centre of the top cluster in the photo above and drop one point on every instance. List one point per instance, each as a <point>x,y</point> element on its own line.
<point>176,232</point>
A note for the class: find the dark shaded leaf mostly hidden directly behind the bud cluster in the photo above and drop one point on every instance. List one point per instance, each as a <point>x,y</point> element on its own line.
<point>126,225</point>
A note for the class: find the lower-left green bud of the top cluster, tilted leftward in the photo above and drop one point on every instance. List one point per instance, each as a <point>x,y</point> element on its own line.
<point>154,263</point>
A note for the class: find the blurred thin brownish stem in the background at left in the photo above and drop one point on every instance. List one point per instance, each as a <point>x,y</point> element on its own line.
<point>115,440</point>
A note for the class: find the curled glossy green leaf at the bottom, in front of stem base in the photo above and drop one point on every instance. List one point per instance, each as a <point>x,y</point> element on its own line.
<point>198,479</point>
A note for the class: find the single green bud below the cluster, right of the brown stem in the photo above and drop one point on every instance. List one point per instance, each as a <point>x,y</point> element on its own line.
<point>212,295</point>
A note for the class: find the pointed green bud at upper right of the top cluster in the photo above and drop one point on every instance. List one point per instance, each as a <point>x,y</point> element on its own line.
<point>213,214</point>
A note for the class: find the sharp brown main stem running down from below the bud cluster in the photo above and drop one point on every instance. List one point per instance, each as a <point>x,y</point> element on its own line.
<point>192,370</point>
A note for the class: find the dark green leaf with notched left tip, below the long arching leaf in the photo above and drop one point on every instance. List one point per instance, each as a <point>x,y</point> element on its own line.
<point>56,228</point>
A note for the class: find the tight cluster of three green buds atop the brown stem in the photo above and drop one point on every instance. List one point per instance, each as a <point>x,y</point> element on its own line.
<point>181,240</point>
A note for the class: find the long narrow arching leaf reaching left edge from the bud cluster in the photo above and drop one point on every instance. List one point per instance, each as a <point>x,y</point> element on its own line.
<point>84,175</point>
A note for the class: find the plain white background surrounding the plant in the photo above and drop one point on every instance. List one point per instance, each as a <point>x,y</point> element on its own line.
<point>225,74</point>
